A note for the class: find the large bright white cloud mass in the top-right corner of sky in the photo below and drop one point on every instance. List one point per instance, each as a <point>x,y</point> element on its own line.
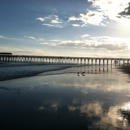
<point>102,10</point>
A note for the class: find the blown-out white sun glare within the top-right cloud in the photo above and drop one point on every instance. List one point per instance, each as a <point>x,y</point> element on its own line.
<point>110,8</point>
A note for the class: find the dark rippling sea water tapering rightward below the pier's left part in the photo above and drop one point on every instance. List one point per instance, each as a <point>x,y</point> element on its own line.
<point>19,70</point>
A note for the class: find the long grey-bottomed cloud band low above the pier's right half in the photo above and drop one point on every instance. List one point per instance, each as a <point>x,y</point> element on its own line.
<point>106,43</point>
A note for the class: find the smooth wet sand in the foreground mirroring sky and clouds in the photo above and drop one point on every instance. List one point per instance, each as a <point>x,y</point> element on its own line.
<point>81,98</point>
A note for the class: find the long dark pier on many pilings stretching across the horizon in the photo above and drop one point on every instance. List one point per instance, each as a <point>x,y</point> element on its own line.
<point>63,60</point>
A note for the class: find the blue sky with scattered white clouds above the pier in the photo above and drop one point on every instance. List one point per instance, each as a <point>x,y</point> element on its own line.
<point>84,28</point>
